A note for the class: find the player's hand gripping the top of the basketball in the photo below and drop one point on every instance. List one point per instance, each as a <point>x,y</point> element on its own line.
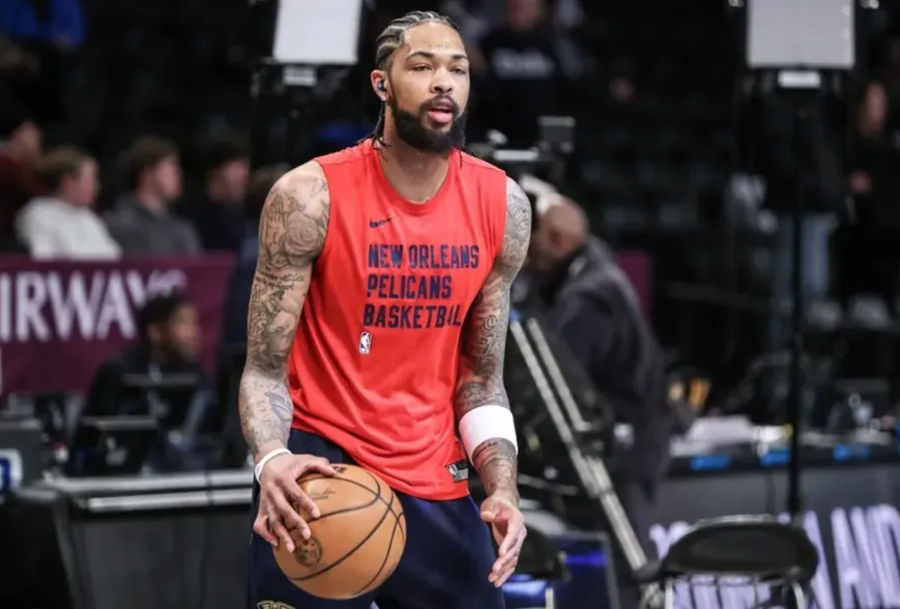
<point>281,500</point>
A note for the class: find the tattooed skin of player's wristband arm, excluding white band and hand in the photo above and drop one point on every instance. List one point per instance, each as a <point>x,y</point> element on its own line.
<point>484,343</point>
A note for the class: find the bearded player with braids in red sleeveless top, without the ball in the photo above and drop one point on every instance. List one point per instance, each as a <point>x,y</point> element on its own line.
<point>376,333</point>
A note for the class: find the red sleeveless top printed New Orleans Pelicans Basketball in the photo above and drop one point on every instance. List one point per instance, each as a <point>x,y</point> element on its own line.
<point>375,360</point>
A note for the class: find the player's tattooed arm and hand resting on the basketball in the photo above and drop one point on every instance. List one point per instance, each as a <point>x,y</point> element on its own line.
<point>292,231</point>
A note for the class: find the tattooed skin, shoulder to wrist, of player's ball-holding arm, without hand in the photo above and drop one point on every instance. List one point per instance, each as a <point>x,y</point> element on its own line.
<point>292,231</point>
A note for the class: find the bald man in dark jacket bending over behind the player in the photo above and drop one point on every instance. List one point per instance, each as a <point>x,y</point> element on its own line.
<point>588,301</point>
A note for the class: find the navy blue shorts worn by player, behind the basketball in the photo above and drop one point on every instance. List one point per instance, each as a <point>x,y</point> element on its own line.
<point>445,565</point>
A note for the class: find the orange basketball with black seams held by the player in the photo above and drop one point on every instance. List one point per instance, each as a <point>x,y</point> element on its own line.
<point>357,541</point>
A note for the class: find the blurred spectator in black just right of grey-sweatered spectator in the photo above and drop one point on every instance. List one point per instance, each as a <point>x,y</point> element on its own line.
<point>218,214</point>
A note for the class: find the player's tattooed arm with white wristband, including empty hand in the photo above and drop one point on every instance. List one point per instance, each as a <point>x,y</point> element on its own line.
<point>482,408</point>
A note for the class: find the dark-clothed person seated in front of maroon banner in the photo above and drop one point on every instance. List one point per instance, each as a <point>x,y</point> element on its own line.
<point>162,377</point>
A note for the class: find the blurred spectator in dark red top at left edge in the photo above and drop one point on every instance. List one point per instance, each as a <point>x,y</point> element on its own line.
<point>20,145</point>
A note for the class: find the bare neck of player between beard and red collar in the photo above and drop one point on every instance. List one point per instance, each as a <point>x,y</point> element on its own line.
<point>415,175</point>
